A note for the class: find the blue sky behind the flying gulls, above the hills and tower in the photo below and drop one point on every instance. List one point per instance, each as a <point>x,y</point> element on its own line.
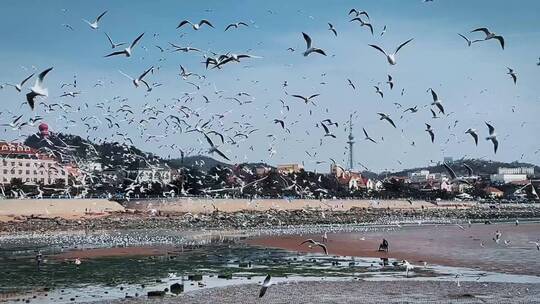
<point>471,81</point>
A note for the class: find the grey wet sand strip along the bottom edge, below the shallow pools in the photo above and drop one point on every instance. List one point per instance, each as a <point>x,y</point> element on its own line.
<point>360,292</point>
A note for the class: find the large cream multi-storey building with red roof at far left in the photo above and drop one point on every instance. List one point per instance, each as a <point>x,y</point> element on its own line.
<point>31,167</point>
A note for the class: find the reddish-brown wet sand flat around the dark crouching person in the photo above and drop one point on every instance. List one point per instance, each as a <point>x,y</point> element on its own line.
<point>446,245</point>
